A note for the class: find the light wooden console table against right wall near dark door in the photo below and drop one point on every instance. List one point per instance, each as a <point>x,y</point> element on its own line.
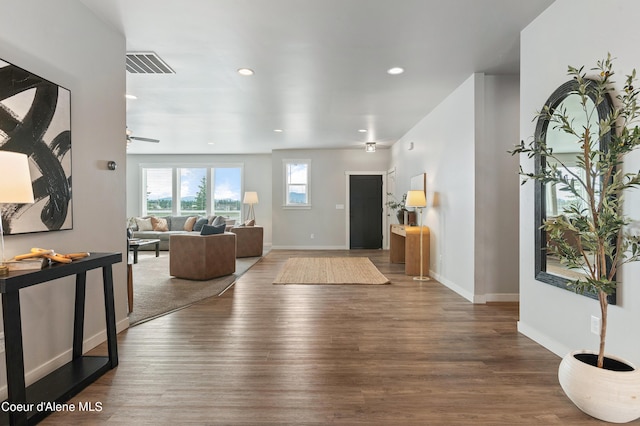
<point>404,247</point>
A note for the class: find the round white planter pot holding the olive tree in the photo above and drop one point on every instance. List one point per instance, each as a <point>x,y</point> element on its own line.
<point>612,396</point>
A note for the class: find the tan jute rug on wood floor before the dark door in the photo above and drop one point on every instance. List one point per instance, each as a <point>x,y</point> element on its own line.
<point>330,270</point>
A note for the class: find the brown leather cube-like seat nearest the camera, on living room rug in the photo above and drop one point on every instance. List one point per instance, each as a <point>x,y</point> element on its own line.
<point>202,257</point>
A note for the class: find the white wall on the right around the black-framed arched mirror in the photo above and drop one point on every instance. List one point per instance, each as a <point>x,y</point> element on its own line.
<point>575,32</point>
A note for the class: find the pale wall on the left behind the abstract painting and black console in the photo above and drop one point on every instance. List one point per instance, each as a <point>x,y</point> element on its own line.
<point>64,43</point>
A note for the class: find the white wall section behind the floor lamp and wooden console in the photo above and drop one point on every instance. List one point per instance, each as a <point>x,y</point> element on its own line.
<point>462,145</point>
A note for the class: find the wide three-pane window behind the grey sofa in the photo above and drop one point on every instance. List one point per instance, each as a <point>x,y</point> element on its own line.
<point>197,191</point>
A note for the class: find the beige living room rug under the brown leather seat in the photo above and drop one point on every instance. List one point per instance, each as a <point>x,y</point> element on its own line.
<point>157,293</point>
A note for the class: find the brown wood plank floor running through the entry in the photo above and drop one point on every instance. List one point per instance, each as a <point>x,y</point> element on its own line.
<point>263,354</point>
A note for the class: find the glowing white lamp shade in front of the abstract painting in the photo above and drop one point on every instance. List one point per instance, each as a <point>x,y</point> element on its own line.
<point>15,180</point>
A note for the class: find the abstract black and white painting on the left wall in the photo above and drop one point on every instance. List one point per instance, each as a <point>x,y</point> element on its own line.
<point>35,119</point>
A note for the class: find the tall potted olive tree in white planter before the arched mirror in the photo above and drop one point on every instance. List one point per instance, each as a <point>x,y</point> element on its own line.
<point>601,239</point>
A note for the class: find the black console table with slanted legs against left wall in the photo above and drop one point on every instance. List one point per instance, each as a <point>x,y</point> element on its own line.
<point>65,382</point>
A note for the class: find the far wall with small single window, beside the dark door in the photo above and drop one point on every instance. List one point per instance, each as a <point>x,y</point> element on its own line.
<point>293,228</point>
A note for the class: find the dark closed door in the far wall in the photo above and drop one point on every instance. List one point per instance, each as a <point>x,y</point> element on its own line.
<point>365,208</point>
